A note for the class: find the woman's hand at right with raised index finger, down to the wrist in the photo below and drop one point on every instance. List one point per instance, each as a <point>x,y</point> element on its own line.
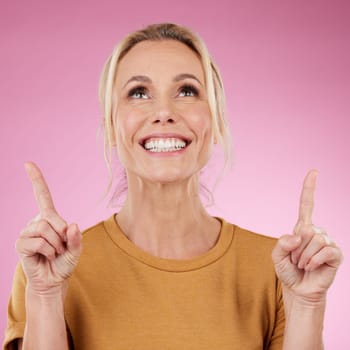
<point>306,262</point>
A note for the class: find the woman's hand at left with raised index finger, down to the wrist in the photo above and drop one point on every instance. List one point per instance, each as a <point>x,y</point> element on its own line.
<point>49,249</point>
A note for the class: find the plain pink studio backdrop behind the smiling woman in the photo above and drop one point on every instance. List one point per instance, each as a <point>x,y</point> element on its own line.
<point>285,66</point>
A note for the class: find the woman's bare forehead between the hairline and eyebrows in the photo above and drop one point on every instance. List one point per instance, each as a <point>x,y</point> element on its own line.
<point>159,59</point>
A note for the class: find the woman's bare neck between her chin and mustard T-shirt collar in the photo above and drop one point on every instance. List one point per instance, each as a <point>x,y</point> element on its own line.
<point>171,221</point>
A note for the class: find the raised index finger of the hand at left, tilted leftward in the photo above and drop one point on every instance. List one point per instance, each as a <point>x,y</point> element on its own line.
<point>40,188</point>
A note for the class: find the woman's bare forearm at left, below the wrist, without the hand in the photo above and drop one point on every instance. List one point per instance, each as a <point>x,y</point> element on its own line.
<point>45,324</point>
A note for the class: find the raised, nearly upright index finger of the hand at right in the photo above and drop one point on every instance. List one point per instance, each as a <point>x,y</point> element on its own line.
<point>306,205</point>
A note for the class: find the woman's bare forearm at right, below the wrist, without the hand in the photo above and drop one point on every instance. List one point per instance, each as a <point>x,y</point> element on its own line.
<point>304,325</point>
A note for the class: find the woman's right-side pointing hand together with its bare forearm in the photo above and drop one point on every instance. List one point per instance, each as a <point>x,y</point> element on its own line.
<point>306,263</point>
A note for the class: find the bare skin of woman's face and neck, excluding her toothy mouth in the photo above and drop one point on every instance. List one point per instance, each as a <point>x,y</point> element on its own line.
<point>168,184</point>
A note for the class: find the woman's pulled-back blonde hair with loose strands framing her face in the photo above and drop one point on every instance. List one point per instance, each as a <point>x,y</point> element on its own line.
<point>214,85</point>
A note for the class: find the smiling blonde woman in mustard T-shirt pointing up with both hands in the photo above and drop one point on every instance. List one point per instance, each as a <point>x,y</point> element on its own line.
<point>162,273</point>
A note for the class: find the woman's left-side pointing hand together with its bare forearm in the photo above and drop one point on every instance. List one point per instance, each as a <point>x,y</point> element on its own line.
<point>49,250</point>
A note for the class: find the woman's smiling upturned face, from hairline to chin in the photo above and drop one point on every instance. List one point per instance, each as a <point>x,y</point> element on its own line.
<point>163,131</point>
